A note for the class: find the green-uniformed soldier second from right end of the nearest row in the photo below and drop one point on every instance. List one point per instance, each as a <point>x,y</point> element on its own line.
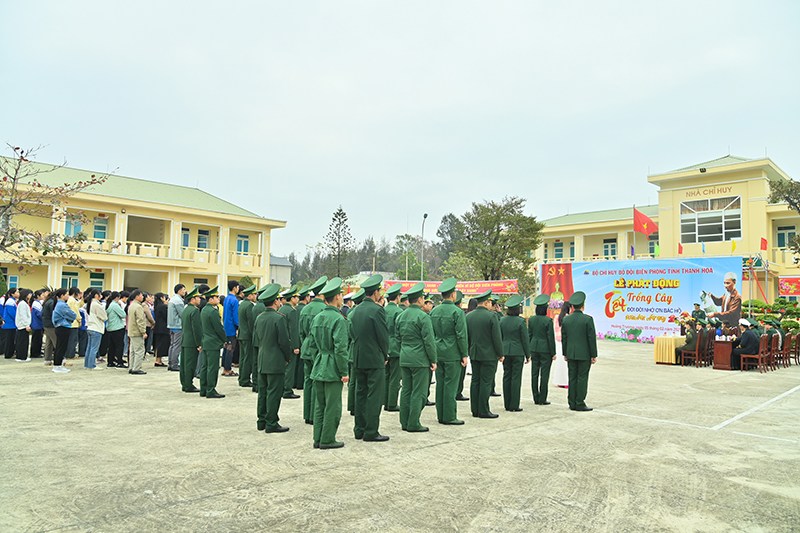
<point>542,342</point>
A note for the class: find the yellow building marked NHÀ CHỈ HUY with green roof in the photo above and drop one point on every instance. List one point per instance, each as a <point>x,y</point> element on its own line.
<point>703,209</point>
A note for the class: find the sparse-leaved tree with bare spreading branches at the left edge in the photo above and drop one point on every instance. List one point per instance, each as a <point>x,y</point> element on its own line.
<point>23,193</point>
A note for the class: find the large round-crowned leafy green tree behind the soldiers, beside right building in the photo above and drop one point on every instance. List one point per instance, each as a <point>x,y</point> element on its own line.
<point>498,238</point>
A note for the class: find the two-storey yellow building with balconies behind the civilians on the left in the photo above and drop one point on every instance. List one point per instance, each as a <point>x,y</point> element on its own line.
<point>151,236</point>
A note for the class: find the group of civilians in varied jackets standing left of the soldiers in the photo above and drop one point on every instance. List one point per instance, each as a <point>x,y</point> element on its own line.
<point>62,324</point>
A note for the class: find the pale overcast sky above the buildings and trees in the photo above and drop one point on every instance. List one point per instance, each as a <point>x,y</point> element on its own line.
<point>392,109</point>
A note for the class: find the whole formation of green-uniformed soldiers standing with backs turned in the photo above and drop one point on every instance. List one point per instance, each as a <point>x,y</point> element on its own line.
<point>303,339</point>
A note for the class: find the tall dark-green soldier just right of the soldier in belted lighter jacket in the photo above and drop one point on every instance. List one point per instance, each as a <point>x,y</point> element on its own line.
<point>370,354</point>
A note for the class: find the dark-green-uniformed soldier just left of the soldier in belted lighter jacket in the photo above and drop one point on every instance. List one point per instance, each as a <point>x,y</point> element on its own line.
<point>274,354</point>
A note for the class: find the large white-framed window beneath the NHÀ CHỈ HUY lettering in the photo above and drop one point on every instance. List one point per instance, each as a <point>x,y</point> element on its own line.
<point>715,219</point>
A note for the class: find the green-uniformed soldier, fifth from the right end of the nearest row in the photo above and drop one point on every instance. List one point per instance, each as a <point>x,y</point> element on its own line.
<point>450,331</point>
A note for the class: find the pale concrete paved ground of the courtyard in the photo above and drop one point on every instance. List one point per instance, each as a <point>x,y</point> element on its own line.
<point>666,449</point>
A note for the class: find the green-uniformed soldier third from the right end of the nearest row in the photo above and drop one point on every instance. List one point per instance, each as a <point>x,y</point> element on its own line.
<point>514,331</point>
